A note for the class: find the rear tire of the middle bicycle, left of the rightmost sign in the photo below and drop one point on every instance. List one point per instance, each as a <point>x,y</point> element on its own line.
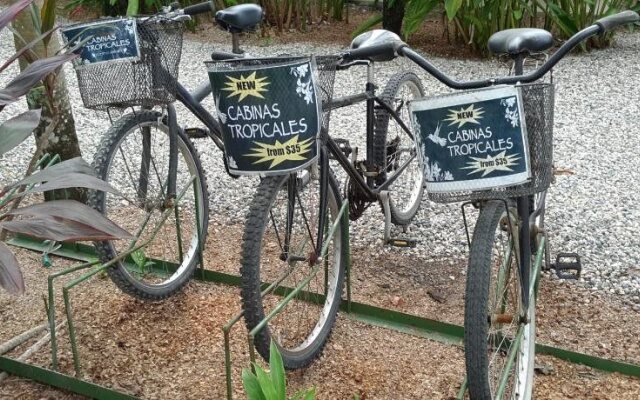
<point>401,213</point>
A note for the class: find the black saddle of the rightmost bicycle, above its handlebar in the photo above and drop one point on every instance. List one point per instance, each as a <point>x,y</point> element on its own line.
<point>520,40</point>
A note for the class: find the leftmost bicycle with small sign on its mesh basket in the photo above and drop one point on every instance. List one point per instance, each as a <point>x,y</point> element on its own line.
<point>145,154</point>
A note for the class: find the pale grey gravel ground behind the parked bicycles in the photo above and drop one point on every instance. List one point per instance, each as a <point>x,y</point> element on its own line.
<point>590,211</point>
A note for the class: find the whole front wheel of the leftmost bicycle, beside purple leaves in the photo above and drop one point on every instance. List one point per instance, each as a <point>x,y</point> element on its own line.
<point>134,158</point>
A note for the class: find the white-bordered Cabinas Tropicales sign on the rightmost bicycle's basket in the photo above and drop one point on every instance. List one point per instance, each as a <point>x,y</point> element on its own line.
<point>473,140</point>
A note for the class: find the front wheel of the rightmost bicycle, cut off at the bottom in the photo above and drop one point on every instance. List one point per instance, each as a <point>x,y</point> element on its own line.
<point>499,341</point>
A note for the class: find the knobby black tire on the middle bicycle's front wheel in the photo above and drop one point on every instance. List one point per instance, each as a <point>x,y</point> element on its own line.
<point>258,265</point>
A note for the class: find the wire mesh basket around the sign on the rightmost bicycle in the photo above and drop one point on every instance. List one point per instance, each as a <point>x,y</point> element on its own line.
<point>538,104</point>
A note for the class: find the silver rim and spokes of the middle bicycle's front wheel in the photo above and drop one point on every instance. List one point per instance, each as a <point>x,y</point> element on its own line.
<point>288,260</point>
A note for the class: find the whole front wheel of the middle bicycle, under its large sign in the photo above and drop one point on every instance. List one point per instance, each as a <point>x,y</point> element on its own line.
<point>280,248</point>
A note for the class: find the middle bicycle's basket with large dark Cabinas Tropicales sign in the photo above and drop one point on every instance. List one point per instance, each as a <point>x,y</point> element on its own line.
<point>271,111</point>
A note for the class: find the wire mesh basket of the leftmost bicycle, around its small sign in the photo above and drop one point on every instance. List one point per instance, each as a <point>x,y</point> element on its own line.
<point>145,81</point>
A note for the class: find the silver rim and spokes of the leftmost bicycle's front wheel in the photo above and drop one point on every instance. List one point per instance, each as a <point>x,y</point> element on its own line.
<point>143,209</point>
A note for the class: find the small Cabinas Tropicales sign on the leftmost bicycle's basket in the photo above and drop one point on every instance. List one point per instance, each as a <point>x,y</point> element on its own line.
<point>98,42</point>
